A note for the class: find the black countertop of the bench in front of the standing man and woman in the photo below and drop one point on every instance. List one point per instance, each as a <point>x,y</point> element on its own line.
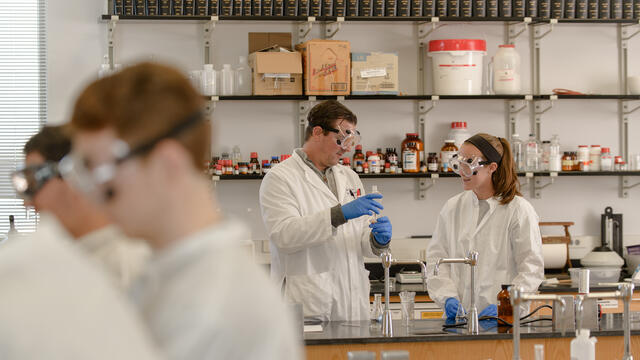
<point>362,332</point>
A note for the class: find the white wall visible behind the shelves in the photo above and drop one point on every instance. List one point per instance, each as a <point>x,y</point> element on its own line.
<point>577,57</point>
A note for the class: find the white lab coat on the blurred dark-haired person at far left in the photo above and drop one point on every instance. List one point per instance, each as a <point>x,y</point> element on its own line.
<point>123,258</point>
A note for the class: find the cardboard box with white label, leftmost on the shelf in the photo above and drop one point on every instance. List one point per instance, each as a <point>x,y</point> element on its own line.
<point>276,72</point>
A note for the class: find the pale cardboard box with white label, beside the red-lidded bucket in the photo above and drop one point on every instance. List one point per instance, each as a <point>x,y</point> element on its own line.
<point>374,73</point>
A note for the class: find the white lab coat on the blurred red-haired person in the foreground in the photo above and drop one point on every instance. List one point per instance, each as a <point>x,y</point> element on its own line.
<point>204,298</point>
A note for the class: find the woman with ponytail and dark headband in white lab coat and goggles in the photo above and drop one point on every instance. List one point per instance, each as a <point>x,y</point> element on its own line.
<point>492,218</point>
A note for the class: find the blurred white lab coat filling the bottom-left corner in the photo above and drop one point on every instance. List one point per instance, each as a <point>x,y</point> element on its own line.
<point>55,304</point>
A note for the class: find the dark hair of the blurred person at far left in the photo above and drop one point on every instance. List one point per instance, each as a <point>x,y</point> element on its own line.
<point>52,142</point>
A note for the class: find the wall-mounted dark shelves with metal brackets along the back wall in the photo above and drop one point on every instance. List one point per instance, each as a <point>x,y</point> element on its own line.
<point>514,104</point>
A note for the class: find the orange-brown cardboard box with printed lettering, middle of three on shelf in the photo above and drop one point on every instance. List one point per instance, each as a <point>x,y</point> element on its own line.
<point>327,67</point>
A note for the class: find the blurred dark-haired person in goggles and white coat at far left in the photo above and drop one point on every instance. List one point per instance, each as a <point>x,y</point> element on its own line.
<point>122,257</point>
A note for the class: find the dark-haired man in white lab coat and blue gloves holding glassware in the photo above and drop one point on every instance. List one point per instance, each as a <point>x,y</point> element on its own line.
<point>318,223</point>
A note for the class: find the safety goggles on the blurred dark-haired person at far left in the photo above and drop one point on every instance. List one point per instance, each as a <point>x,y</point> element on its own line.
<point>30,179</point>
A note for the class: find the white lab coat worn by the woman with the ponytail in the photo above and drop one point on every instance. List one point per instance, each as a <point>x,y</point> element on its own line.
<point>509,249</point>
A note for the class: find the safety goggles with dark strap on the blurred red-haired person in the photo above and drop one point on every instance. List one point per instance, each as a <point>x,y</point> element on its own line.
<point>94,180</point>
